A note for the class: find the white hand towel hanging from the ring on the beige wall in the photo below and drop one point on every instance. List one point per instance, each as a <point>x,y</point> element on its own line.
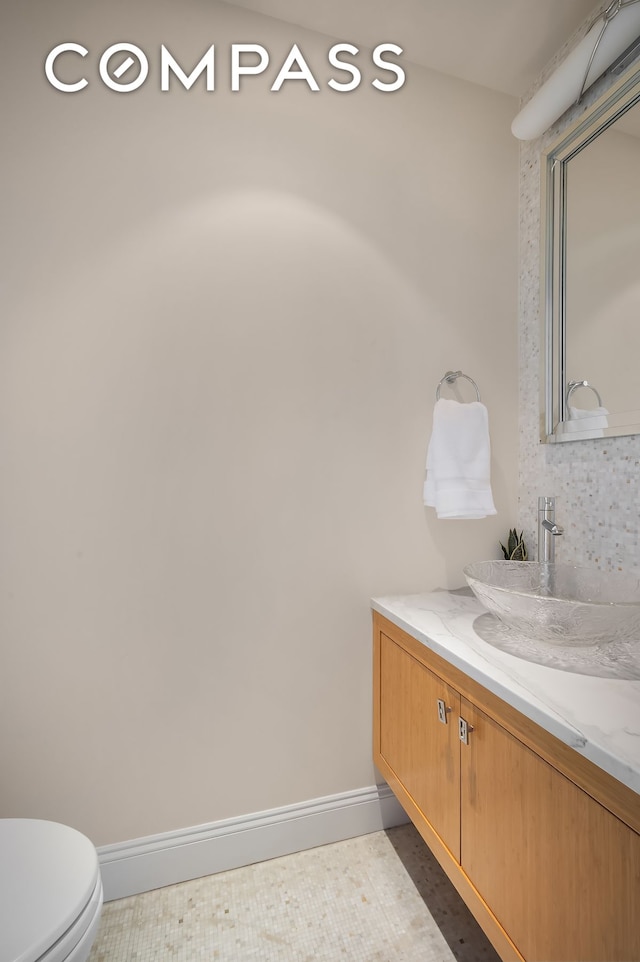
<point>458,481</point>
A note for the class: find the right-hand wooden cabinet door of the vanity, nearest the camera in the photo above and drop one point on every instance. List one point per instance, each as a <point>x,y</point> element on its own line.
<point>560,872</point>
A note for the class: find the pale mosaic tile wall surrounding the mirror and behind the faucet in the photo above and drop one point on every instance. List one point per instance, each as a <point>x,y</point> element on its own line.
<point>595,481</point>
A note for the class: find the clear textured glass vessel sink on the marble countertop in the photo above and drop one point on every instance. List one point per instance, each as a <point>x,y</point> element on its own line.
<point>559,604</point>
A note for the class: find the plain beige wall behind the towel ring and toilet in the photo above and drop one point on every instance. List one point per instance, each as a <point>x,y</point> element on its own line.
<point>224,317</point>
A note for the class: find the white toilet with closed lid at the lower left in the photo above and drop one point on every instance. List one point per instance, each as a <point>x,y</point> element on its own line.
<point>50,892</point>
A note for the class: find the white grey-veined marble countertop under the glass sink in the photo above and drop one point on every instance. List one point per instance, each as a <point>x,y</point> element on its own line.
<point>597,716</point>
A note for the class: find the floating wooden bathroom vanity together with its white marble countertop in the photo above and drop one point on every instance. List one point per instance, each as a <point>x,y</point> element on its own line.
<point>524,780</point>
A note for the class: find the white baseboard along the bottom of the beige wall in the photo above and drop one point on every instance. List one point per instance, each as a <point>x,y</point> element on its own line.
<point>129,868</point>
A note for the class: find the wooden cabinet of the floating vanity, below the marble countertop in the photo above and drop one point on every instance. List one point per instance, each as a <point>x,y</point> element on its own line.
<point>550,873</point>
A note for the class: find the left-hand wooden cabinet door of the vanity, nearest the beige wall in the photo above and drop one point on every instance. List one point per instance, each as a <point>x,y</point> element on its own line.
<point>419,738</point>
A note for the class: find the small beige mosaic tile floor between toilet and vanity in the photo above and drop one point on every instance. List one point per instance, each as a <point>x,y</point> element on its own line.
<point>376,898</point>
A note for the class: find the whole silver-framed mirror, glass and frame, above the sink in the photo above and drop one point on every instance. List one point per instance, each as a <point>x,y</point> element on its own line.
<point>591,272</point>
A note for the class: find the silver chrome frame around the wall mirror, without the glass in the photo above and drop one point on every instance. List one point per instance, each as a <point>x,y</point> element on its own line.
<point>554,171</point>
